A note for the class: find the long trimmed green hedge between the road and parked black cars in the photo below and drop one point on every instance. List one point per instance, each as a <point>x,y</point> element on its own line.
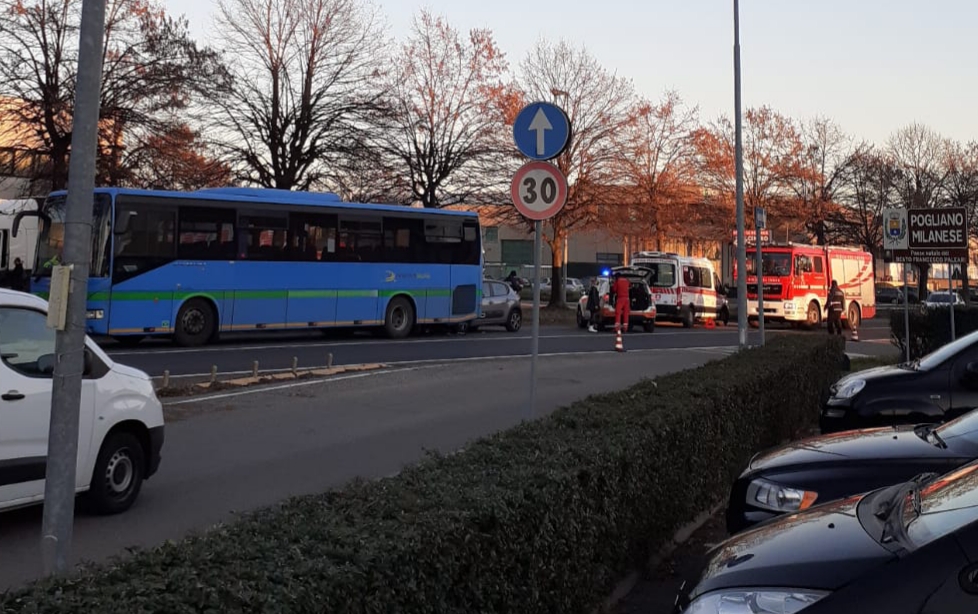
<point>544,517</point>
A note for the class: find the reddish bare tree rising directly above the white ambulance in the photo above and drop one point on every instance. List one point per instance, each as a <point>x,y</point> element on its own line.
<point>658,158</point>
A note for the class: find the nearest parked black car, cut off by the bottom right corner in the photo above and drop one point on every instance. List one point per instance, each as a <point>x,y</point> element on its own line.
<point>909,548</point>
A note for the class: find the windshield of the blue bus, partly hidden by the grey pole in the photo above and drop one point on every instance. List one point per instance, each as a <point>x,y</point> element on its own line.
<point>50,248</point>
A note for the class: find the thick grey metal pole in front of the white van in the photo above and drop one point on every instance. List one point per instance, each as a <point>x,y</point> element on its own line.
<point>59,486</point>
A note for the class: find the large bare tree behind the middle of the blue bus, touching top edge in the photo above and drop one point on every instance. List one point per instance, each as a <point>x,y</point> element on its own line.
<point>306,75</point>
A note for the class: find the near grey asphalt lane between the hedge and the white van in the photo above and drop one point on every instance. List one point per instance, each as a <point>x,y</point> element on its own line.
<point>237,451</point>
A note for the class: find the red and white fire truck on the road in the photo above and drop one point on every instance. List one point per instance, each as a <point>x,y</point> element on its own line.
<point>797,278</point>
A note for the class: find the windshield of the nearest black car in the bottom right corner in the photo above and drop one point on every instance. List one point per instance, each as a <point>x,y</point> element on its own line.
<point>946,504</point>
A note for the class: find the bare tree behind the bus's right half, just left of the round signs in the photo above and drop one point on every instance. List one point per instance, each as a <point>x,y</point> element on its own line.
<point>440,125</point>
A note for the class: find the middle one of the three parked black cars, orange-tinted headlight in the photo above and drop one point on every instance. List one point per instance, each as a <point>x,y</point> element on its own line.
<point>793,477</point>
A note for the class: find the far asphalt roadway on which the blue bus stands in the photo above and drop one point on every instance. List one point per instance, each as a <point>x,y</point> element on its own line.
<point>236,353</point>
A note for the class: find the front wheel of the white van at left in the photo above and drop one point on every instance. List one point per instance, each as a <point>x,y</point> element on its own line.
<point>118,474</point>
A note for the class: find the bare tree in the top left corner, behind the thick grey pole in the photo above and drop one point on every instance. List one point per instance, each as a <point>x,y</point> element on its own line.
<point>151,68</point>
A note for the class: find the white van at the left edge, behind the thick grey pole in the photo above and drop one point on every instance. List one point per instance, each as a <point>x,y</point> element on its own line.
<point>120,428</point>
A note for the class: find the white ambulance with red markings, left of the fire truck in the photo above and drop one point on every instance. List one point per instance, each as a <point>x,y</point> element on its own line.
<point>684,288</point>
